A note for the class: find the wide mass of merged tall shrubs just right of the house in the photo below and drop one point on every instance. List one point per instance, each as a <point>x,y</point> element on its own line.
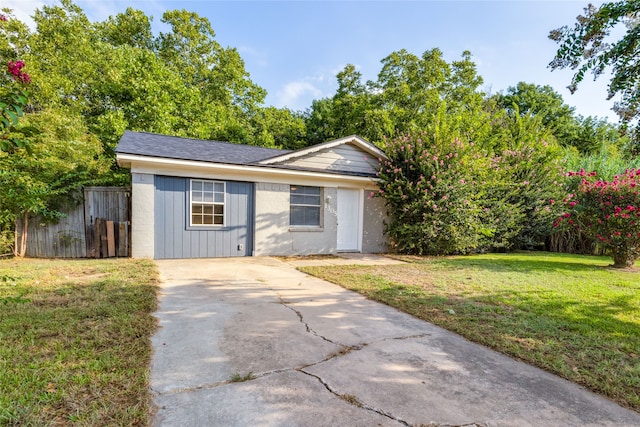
<point>447,195</point>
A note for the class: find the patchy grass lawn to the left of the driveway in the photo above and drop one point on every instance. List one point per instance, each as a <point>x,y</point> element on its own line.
<point>75,341</point>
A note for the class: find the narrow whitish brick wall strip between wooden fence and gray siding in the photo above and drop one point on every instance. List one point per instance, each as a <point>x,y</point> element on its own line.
<point>142,215</point>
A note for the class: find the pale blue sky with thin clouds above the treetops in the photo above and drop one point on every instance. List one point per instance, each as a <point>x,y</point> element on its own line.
<point>294,49</point>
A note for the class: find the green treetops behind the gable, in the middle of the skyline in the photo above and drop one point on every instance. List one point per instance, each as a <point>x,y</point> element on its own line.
<point>406,97</point>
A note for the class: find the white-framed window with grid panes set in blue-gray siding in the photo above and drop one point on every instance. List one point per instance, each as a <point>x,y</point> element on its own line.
<point>207,203</point>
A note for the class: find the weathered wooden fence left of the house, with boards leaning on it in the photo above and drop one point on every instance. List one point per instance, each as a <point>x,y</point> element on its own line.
<point>99,227</point>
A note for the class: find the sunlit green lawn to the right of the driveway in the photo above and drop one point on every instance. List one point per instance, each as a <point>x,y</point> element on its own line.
<point>570,315</point>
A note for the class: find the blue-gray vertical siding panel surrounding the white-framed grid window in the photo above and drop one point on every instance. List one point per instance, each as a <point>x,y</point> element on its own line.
<point>176,239</point>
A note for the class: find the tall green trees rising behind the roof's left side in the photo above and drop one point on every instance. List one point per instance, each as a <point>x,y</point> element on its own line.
<point>117,75</point>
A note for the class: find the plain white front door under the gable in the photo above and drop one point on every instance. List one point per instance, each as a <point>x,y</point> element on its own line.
<point>349,220</point>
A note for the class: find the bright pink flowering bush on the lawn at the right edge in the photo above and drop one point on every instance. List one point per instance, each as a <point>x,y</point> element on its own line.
<point>606,211</point>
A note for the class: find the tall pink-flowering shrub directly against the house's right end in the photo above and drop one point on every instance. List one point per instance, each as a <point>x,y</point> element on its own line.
<point>431,195</point>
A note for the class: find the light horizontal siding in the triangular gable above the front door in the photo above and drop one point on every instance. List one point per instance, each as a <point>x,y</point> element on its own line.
<point>341,158</point>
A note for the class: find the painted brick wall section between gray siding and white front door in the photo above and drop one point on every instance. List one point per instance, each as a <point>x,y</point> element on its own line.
<point>274,235</point>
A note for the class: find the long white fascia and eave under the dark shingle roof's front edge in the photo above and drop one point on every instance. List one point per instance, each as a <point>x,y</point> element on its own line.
<point>194,169</point>
